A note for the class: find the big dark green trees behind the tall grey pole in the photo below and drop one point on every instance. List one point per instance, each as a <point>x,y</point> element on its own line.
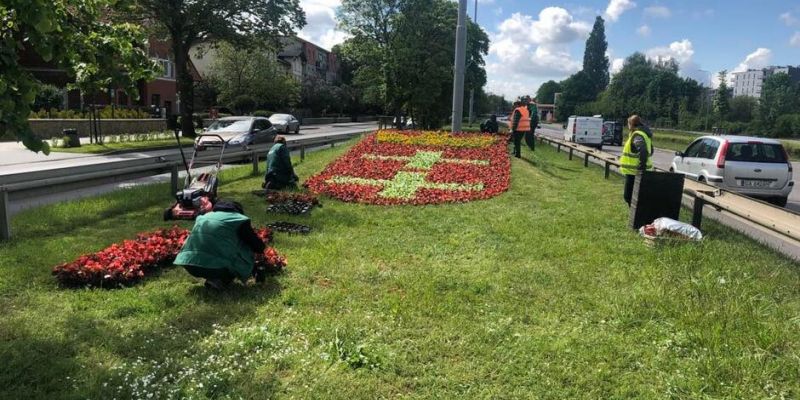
<point>399,57</point>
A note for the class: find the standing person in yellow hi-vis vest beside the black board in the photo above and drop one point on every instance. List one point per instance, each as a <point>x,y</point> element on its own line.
<point>637,155</point>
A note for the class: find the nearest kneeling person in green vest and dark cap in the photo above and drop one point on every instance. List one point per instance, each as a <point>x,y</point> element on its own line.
<point>220,247</point>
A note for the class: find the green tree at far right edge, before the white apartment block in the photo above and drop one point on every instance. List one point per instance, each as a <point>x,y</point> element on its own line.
<point>778,98</point>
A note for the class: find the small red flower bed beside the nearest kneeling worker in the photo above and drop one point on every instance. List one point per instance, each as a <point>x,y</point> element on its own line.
<point>123,264</point>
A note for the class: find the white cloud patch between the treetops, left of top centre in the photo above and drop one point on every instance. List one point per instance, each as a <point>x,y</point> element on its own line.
<point>320,26</point>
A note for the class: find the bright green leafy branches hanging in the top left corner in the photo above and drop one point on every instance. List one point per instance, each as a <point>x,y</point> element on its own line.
<point>87,39</point>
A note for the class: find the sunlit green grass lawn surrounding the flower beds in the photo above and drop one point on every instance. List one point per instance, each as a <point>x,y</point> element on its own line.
<point>541,292</point>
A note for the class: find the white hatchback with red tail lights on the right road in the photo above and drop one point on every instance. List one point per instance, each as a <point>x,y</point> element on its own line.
<point>753,166</point>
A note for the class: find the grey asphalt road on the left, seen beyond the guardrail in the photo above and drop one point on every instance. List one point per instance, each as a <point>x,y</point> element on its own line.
<point>16,159</point>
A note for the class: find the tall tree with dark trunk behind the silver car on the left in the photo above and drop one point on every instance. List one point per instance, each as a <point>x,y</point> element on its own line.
<point>189,22</point>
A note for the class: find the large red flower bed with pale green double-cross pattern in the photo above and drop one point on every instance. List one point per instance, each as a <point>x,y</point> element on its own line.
<point>401,167</point>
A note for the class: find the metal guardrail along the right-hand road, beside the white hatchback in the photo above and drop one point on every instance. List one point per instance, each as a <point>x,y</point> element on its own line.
<point>780,221</point>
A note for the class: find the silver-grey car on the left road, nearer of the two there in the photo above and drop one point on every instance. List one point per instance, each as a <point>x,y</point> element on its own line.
<point>239,131</point>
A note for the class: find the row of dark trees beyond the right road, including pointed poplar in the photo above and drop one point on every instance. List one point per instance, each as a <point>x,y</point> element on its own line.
<point>656,91</point>
